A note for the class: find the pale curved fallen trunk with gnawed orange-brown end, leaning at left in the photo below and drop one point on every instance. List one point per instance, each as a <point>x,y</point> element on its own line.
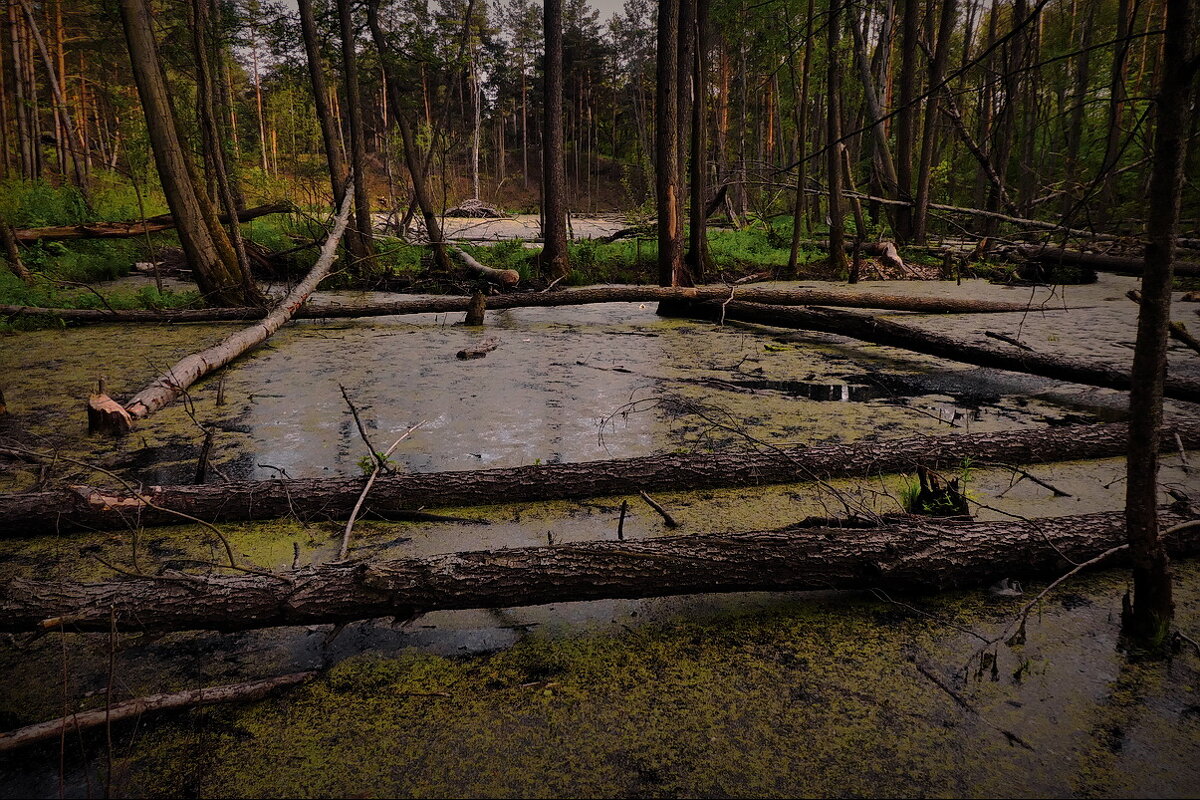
<point>173,383</point>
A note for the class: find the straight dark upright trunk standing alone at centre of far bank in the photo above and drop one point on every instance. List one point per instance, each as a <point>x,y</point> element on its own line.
<point>554,254</point>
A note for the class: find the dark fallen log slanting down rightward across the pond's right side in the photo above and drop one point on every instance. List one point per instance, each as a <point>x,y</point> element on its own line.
<point>885,332</point>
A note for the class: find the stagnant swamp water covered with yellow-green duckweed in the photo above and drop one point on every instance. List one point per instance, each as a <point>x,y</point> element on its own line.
<point>763,694</point>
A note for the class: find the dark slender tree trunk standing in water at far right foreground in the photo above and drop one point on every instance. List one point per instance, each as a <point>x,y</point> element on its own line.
<point>1153,605</point>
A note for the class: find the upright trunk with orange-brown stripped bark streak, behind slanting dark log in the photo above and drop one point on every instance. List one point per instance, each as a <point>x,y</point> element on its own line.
<point>667,148</point>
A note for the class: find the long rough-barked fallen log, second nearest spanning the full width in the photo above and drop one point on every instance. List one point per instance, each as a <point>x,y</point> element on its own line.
<point>95,509</point>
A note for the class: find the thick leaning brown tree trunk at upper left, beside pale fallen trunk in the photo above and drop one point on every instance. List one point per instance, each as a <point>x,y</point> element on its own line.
<point>205,242</point>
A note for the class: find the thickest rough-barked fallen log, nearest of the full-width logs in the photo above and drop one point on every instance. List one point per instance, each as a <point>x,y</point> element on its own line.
<point>914,557</point>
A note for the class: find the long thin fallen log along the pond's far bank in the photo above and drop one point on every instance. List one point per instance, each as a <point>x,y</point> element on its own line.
<point>548,299</point>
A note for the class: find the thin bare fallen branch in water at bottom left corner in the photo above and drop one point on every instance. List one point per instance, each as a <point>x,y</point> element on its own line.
<point>135,709</point>
